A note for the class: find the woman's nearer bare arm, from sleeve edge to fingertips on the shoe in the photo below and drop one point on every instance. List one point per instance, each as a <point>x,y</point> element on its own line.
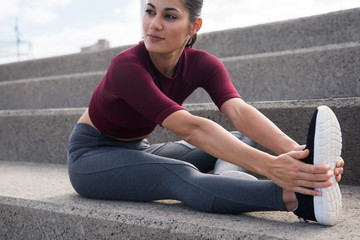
<point>285,170</point>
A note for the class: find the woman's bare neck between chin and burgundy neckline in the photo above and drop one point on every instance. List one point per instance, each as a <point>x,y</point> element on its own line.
<point>166,63</point>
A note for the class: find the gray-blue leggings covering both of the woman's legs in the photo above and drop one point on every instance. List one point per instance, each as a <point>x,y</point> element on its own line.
<point>104,168</point>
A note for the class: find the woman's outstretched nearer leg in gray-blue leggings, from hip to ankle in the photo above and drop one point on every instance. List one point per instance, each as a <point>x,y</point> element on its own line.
<point>137,176</point>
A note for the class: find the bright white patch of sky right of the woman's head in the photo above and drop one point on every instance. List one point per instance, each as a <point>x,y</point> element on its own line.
<point>226,14</point>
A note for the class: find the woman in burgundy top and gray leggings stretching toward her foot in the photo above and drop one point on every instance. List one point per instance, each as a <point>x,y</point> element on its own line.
<point>110,158</point>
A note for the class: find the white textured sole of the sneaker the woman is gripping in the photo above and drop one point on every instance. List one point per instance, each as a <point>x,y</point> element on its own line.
<point>327,150</point>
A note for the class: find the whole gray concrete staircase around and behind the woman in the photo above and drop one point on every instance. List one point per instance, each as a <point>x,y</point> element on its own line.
<point>285,69</point>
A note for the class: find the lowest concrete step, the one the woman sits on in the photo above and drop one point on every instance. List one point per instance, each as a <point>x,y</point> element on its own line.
<point>38,202</point>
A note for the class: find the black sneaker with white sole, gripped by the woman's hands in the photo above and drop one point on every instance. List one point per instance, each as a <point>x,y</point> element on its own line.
<point>324,142</point>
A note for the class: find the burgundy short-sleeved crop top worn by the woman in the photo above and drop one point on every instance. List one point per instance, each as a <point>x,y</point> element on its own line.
<point>133,96</point>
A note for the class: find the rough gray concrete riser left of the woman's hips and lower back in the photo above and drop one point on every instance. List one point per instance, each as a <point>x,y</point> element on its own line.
<point>36,135</point>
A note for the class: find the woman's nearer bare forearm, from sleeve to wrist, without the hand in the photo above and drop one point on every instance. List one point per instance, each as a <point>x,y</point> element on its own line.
<point>215,140</point>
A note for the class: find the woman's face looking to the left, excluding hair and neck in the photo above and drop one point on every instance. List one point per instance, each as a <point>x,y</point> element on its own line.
<point>166,26</point>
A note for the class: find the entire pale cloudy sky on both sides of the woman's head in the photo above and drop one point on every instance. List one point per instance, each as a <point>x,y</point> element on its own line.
<point>58,27</point>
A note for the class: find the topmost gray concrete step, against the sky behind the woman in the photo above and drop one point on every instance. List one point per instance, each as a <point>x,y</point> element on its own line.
<point>326,29</point>
